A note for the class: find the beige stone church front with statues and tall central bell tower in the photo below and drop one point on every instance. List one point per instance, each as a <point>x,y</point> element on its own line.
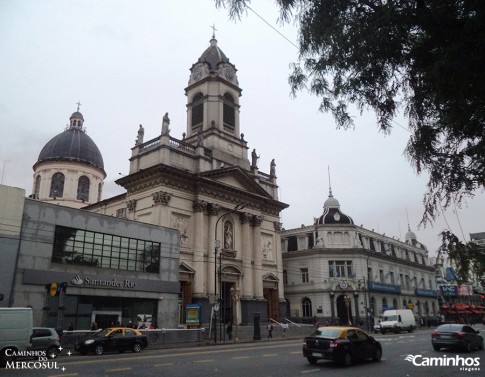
<point>208,186</point>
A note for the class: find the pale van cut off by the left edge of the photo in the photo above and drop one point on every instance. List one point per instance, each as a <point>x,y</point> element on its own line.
<point>15,332</point>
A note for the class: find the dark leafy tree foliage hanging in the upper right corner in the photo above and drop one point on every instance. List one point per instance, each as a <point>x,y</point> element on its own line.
<point>425,57</point>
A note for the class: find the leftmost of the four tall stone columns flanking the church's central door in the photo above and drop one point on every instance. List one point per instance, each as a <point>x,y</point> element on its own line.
<point>200,287</point>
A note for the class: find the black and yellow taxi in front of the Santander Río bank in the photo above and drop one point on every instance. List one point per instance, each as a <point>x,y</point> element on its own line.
<point>113,339</point>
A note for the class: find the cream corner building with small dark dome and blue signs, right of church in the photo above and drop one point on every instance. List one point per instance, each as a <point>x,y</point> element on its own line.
<point>343,273</point>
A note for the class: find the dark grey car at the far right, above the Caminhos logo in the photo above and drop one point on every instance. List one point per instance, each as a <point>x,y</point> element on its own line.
<point>456,335</point>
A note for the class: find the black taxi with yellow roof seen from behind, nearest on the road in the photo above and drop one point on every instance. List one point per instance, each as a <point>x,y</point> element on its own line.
<point>341,344</point>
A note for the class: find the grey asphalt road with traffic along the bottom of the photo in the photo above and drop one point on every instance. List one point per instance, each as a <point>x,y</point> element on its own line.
<point>277,358</point>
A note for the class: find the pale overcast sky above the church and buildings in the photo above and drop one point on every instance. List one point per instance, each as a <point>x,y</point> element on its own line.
<point>128,63</point>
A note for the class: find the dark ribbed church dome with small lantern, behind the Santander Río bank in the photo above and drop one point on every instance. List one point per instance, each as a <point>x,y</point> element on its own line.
<point>72,145</point>
